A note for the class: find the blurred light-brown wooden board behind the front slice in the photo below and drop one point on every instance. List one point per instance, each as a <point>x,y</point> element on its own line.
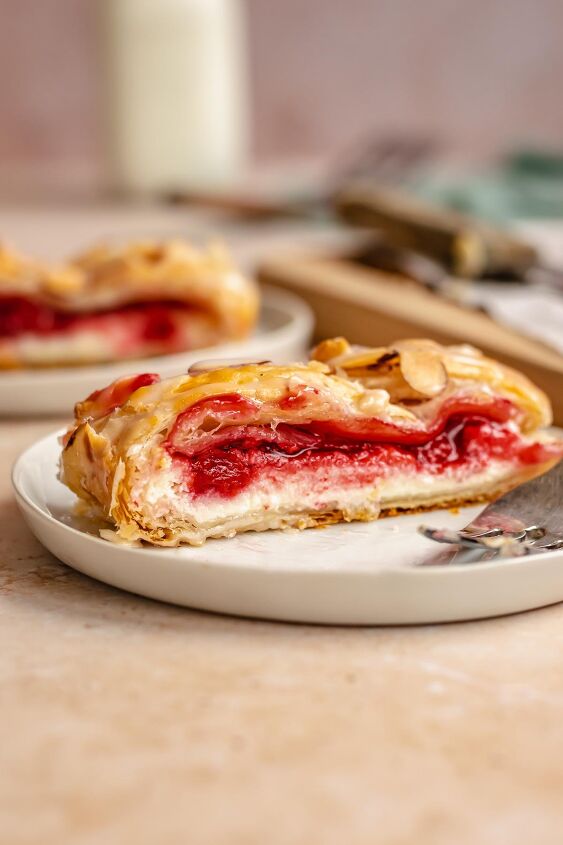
<point>372,307</point>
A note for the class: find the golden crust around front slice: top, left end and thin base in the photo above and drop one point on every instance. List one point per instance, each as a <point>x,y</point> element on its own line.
<point>404,385</point>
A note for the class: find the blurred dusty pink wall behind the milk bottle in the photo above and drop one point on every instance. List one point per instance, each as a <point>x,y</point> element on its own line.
<point>479,74</point>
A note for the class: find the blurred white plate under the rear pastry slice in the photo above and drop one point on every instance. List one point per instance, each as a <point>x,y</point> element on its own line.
<point>283,334</point>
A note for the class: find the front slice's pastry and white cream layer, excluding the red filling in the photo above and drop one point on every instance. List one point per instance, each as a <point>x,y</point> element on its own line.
<point>117,454</point>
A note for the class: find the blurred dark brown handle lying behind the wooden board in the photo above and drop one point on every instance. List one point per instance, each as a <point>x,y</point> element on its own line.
<point>464,246</point>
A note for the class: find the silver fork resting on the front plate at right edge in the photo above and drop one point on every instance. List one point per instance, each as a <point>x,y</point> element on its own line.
<point>526,520</point>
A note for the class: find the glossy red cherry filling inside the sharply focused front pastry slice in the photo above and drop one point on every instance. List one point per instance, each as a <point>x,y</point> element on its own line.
<point>224,461</point>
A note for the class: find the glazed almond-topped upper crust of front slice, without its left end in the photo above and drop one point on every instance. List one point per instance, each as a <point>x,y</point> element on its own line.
<point>405,383</point>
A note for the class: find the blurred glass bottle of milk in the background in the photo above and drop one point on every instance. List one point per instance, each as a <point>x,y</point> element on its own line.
<point>177,92</point>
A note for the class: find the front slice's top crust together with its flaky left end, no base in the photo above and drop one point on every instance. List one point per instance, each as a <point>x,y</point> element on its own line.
<point>122,430</point>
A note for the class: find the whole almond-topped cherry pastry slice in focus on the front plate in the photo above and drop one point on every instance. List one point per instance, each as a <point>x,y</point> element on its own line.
<point>354,433</point>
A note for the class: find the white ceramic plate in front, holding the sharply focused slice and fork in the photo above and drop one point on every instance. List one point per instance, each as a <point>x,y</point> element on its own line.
<point>359,574</point>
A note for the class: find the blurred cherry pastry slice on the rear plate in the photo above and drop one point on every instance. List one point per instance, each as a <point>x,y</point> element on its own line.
<point>112,304</point>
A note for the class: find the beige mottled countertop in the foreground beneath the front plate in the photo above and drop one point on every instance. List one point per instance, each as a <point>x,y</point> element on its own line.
<point>127,721</point>
